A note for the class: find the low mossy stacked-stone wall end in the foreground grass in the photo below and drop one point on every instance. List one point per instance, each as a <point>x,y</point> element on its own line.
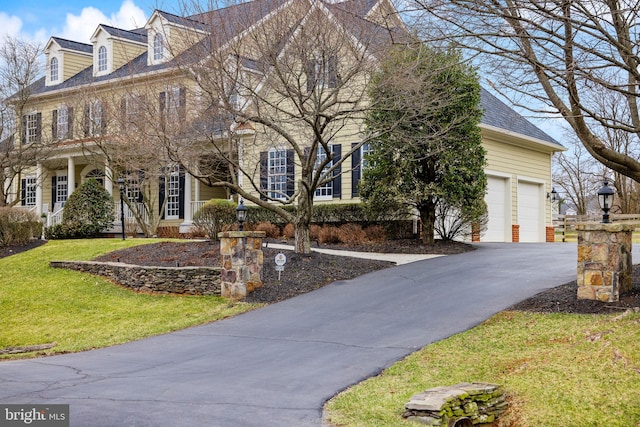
<point>479,403</point>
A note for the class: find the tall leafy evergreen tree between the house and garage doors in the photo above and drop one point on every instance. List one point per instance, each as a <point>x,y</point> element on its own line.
<point>427,153</point>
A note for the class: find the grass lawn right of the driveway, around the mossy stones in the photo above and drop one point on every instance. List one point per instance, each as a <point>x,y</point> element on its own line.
<point>557,370</point>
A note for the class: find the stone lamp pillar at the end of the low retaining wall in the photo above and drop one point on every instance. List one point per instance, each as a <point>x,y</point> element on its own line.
<point>242,260</point>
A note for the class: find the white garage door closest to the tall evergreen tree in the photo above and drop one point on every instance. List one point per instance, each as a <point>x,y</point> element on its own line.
<point>497,206</point>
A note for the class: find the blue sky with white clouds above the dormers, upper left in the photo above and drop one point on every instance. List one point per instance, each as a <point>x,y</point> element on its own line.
<point>74,19</point>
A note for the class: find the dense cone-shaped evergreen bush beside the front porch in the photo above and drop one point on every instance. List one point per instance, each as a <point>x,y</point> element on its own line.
<point>87,212</point>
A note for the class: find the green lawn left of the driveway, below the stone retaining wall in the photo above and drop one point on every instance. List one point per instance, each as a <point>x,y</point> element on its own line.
<point>78,311</point>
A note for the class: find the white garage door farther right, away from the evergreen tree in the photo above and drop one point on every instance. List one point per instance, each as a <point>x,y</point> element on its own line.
<point>530,212</point>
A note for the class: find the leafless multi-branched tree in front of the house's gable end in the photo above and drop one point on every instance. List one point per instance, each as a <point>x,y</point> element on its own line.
<point>287,81</point>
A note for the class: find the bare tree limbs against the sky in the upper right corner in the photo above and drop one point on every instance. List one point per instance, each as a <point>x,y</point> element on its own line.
<point>563,54</point>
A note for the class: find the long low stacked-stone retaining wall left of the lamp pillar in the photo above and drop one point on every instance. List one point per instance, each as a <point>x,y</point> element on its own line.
<point>165,280</point>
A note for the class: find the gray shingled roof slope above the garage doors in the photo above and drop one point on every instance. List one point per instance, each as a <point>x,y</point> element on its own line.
<point>500,115</point>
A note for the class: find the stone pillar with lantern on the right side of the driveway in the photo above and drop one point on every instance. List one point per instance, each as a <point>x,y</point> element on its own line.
<point>604,260</point>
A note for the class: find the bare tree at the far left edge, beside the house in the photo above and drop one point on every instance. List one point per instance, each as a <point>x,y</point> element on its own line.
<point>21,141</point>
